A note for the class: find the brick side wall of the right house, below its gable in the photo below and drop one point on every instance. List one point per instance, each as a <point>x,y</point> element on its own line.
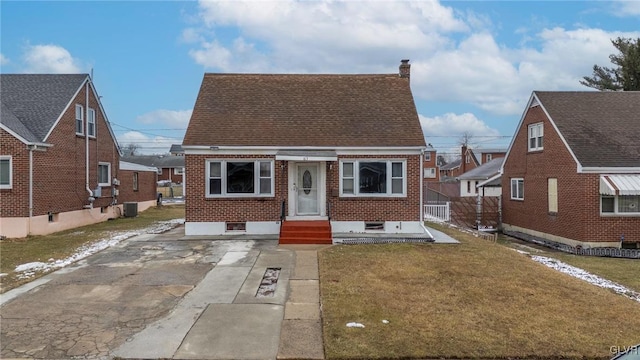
<point>578,215</point>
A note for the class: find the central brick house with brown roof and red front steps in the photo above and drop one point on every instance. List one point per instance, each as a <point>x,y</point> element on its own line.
<point>325,153</point>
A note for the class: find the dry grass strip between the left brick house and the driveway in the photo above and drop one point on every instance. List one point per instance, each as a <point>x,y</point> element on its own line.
<point>14,252</point>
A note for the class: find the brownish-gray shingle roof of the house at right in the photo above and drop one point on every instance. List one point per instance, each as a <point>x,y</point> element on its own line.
<point>601,128</point>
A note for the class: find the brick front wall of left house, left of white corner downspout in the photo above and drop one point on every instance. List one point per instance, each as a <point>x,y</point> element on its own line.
<point>15,201</point>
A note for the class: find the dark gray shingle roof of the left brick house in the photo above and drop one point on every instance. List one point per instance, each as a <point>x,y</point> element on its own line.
<point>36,101</point>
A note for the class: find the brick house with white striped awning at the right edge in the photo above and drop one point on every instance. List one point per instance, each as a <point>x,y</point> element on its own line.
<point>572,172</point>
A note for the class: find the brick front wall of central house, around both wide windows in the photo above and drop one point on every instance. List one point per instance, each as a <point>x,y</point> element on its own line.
<point>201,209</point>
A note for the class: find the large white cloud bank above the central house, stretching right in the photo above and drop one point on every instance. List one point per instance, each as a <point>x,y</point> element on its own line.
<point>454,55</point>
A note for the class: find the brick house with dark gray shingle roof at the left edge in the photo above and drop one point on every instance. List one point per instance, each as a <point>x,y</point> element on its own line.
<point>59,159</point>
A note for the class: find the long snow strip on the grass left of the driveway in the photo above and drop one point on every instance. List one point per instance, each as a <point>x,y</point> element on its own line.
<point>28,270</point>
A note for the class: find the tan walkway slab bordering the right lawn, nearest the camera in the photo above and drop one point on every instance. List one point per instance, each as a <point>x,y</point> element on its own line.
<point>301,339</point>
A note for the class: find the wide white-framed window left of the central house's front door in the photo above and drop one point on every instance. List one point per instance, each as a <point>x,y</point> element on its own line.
<point>238,178</point>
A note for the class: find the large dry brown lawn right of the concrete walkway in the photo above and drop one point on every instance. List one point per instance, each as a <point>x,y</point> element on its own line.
<point>477,299</point>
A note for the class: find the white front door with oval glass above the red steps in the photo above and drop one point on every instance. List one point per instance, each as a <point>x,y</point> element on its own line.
<point>306,189</point>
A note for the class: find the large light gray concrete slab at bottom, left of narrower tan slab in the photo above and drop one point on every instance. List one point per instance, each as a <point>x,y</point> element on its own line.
<point>234,331</point>
